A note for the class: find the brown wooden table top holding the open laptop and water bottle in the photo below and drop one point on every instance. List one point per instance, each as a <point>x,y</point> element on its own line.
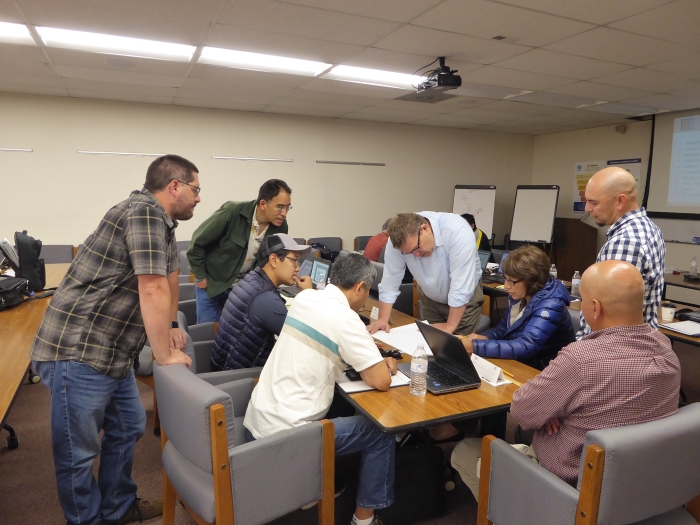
<point>398,411</point>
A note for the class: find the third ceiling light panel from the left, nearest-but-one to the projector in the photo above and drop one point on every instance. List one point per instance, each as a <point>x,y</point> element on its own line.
<point>216,56</point>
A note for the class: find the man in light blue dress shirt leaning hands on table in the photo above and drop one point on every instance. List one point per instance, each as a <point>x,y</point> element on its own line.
<point>440,251</point>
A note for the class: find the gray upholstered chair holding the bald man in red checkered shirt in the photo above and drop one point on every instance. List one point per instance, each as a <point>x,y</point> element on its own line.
<point>637,474</point>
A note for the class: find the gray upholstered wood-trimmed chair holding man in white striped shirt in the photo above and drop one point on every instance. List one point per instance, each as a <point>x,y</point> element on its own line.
<point>220,477</point>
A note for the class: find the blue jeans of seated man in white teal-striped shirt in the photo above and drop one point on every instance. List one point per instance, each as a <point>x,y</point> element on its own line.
<point>376,484</point>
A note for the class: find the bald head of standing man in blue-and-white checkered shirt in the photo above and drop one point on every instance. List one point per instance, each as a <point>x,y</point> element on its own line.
<point>611,193</point>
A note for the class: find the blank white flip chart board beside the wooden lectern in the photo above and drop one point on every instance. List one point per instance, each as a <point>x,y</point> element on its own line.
<point>534,213</point>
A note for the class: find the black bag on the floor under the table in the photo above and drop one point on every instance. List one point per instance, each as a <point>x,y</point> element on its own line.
<point>419,488</point>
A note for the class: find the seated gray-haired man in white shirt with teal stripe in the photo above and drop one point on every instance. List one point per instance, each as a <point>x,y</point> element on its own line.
<point>321,336</point>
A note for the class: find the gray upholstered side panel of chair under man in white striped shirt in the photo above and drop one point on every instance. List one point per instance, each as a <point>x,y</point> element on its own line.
<point>277,474</point>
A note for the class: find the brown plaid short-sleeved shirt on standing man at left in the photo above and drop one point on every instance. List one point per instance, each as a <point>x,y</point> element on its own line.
<point>95,317</point>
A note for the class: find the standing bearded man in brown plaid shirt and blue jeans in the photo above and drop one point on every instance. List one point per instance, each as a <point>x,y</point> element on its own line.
<point>121,287</point>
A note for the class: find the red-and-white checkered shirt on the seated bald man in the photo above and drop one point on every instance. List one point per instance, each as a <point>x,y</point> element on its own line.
<point>614,377</point>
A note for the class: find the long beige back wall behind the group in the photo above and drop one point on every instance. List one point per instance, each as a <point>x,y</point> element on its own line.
<point>60,195</point>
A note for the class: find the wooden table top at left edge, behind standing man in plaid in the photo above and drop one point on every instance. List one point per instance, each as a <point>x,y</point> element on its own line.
<point>18,326</point>
